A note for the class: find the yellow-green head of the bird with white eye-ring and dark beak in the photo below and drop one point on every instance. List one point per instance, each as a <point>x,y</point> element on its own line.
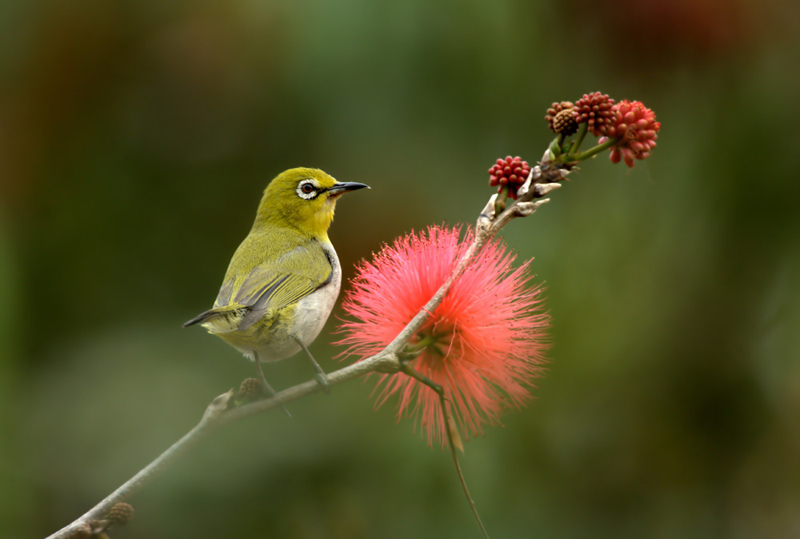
<point>302,198</point>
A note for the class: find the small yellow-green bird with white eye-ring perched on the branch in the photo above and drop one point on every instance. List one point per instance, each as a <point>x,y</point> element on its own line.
<point>284,278</point>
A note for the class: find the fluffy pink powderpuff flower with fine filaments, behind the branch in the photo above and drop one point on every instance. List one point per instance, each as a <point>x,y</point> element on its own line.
<point>483,344</point>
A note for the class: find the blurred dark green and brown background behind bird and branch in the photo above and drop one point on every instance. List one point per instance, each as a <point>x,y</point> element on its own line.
<point>137,136</point>
